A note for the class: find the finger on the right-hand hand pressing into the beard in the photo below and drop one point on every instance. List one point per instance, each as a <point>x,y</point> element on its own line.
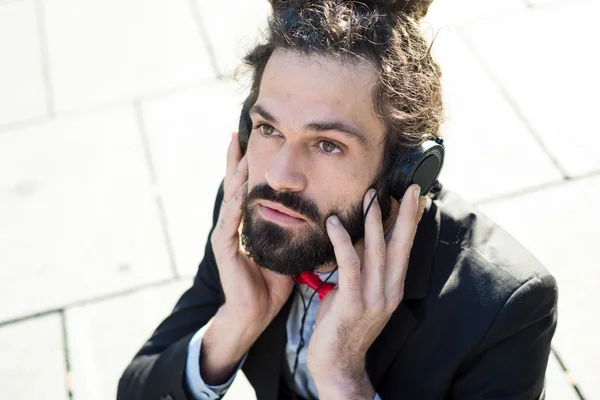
<point>347,259</point>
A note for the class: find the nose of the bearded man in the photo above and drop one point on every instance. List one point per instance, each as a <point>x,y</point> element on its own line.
<point>286,172</point>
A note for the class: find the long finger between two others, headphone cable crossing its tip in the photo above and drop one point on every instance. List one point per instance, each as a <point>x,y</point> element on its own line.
<point>375,250</point>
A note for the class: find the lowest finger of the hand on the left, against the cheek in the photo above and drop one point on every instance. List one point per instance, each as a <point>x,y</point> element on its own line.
<point>226,231</point>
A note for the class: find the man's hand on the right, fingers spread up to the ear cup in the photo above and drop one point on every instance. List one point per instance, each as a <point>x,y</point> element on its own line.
<point>370,288</point>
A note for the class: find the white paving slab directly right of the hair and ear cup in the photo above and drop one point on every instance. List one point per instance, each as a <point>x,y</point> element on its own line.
<point>482,132</point>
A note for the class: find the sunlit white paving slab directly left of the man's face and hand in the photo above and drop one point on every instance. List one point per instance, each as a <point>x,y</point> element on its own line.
<point>188,134</point>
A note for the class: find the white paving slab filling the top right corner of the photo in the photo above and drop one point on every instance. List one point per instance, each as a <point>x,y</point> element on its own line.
<point>547,59</point>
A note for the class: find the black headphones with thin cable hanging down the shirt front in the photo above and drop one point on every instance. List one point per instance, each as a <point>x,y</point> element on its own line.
<point>421,165</point>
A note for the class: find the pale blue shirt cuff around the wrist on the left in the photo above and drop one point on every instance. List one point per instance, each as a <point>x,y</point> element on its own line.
<point>196,385</point>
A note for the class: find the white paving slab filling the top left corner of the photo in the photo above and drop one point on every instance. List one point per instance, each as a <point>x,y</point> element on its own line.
<point>22,90</point>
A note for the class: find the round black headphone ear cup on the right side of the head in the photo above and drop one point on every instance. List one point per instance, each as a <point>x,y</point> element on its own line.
<point>421,165</point>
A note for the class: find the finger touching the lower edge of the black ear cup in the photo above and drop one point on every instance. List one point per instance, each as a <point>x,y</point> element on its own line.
<point>401,241</point>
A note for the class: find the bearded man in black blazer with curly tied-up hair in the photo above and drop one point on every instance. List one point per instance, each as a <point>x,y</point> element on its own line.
<point>432,300</point>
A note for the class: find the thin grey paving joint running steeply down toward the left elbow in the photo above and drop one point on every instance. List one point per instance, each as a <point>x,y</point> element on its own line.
<point>143,132</point>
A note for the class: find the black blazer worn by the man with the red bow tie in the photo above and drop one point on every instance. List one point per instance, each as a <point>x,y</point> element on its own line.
<point>478,315</point>
